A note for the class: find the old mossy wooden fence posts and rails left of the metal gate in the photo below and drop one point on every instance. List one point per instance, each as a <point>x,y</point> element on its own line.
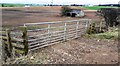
<point>11,41</point>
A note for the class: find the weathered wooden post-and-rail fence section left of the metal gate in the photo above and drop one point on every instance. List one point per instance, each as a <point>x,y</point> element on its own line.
<point>13,43</point>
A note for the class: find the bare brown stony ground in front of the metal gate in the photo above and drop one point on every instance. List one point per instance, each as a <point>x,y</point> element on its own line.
<point>78,51</point>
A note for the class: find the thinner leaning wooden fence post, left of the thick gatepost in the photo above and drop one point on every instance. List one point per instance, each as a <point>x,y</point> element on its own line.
<point>9,42</point>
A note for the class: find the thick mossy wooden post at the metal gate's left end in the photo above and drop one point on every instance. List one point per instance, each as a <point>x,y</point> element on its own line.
<point>25,39</point>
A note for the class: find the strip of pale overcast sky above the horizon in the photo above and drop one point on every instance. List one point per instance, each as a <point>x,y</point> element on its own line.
<point>62,1</point>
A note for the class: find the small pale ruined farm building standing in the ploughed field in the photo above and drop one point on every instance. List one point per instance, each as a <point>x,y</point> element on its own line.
<point>76,13</point>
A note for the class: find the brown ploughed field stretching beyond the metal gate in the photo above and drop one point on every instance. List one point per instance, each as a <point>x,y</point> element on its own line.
<point>20,15</point>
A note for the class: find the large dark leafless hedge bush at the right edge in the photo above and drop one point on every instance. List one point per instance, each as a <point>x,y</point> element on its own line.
<point>110,15</point>
